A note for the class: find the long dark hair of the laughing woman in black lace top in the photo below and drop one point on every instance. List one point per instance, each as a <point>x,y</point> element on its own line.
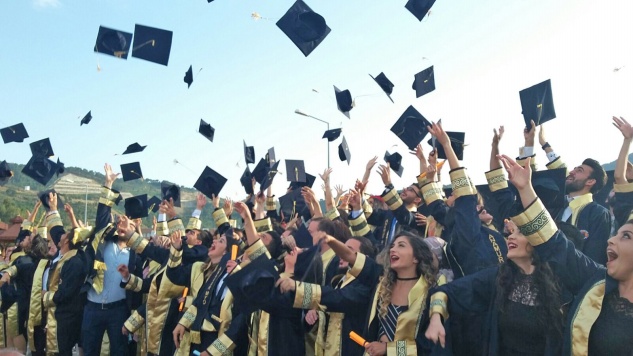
<point>548,293</point>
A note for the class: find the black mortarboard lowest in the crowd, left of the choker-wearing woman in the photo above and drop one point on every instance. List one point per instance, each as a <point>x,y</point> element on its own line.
<point>253,286</point>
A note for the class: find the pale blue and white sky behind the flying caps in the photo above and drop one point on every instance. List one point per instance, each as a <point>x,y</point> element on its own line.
<point>249,78</point>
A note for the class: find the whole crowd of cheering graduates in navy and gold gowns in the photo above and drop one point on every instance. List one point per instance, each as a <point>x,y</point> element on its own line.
<point>529,264</point>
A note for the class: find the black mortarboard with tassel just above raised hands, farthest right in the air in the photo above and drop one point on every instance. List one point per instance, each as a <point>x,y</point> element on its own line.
<point>537,103</point>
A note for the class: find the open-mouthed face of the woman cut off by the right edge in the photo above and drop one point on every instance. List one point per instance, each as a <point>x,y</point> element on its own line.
<point>620,254</point>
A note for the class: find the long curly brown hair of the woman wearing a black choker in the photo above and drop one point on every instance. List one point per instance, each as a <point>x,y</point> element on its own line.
<point>425,269</point>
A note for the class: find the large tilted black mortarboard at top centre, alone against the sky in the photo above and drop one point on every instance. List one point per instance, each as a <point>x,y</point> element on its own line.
<point>305,28</point>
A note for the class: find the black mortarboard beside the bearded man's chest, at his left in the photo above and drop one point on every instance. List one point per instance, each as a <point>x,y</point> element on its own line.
<point>549,186</point>
